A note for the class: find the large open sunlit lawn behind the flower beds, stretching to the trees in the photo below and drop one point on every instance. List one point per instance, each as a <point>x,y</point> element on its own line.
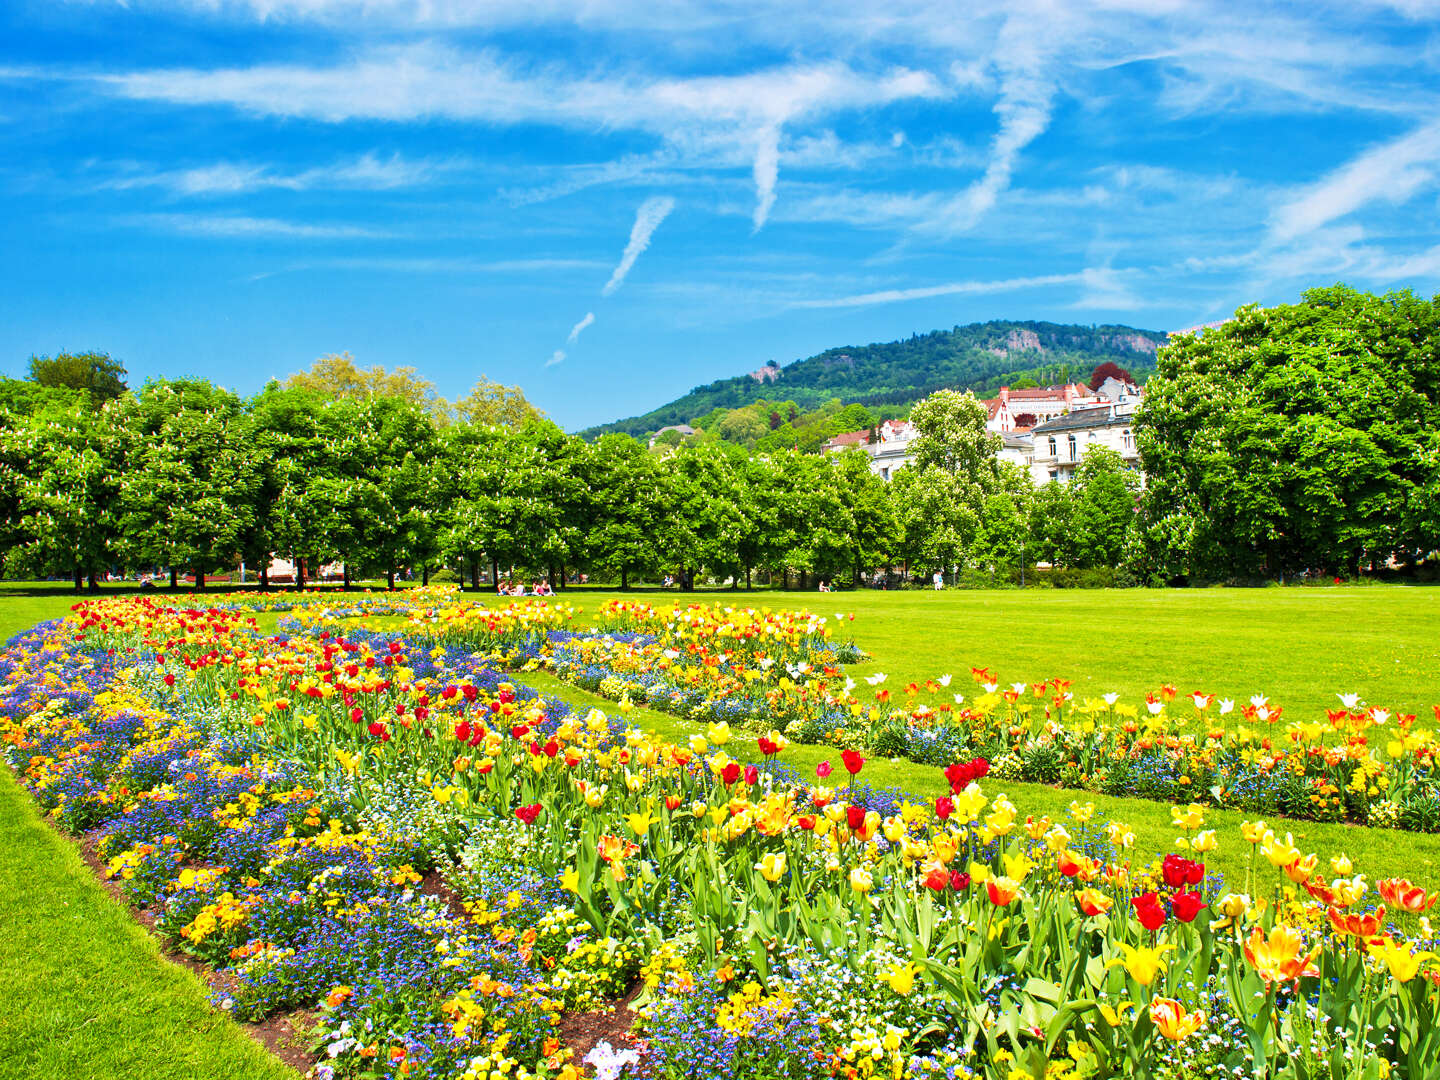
<point>1302,647</point>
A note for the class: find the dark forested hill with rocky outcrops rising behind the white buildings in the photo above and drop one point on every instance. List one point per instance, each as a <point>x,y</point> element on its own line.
<point>981,358</point>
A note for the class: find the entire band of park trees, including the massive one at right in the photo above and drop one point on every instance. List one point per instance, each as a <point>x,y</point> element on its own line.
<point>1290,440</point>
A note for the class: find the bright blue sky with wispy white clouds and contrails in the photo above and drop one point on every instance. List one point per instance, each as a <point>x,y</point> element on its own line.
<point>610,204</point>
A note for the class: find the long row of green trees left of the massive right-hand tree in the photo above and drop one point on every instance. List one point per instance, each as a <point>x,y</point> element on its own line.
<point>188,476</point>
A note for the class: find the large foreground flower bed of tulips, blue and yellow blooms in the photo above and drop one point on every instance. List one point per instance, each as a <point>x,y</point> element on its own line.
<point>279,803</point>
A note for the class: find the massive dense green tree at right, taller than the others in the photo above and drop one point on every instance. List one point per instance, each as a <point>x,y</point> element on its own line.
<point>1291,438</point>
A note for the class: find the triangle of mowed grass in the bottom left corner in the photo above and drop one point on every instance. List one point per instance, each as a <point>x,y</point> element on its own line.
<point>86,990</point>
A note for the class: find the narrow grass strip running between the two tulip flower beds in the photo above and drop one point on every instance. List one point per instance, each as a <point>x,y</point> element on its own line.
<point>1376,853</point>
